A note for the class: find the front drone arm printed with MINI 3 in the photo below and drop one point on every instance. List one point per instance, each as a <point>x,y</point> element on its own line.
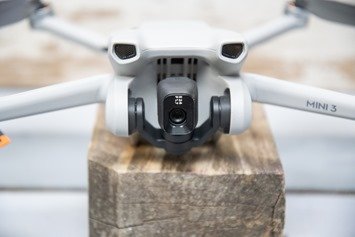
<point>291,95</point>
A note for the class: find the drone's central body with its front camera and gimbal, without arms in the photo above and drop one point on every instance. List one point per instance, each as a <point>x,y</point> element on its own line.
<point>203,61</point>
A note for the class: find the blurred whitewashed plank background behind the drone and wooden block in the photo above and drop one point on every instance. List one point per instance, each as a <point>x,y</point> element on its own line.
<point>43,173</point>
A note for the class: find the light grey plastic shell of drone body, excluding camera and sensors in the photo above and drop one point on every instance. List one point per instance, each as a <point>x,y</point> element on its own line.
<point>137,76</point>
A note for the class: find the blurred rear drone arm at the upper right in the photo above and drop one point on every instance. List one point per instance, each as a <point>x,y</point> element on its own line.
<point>293,18</point>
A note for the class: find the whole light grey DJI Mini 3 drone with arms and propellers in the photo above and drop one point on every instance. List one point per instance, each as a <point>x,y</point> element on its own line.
<point>176,83</point>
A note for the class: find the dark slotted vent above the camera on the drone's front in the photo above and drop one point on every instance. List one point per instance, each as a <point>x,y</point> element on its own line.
<point>176,67</point>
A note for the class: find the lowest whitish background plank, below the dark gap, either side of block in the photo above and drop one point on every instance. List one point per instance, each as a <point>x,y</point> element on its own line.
<point>57,214</point>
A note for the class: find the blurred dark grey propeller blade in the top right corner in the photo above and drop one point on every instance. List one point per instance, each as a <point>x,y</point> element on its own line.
<point>329,10</point>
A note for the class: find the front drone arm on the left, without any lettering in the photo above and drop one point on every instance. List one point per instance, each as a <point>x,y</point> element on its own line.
<point>56,97</point>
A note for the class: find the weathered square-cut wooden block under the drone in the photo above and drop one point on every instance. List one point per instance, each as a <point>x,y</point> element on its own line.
<point>234,187</point>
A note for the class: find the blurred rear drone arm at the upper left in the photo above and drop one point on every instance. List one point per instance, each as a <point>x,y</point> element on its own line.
<point>44,19</point>
